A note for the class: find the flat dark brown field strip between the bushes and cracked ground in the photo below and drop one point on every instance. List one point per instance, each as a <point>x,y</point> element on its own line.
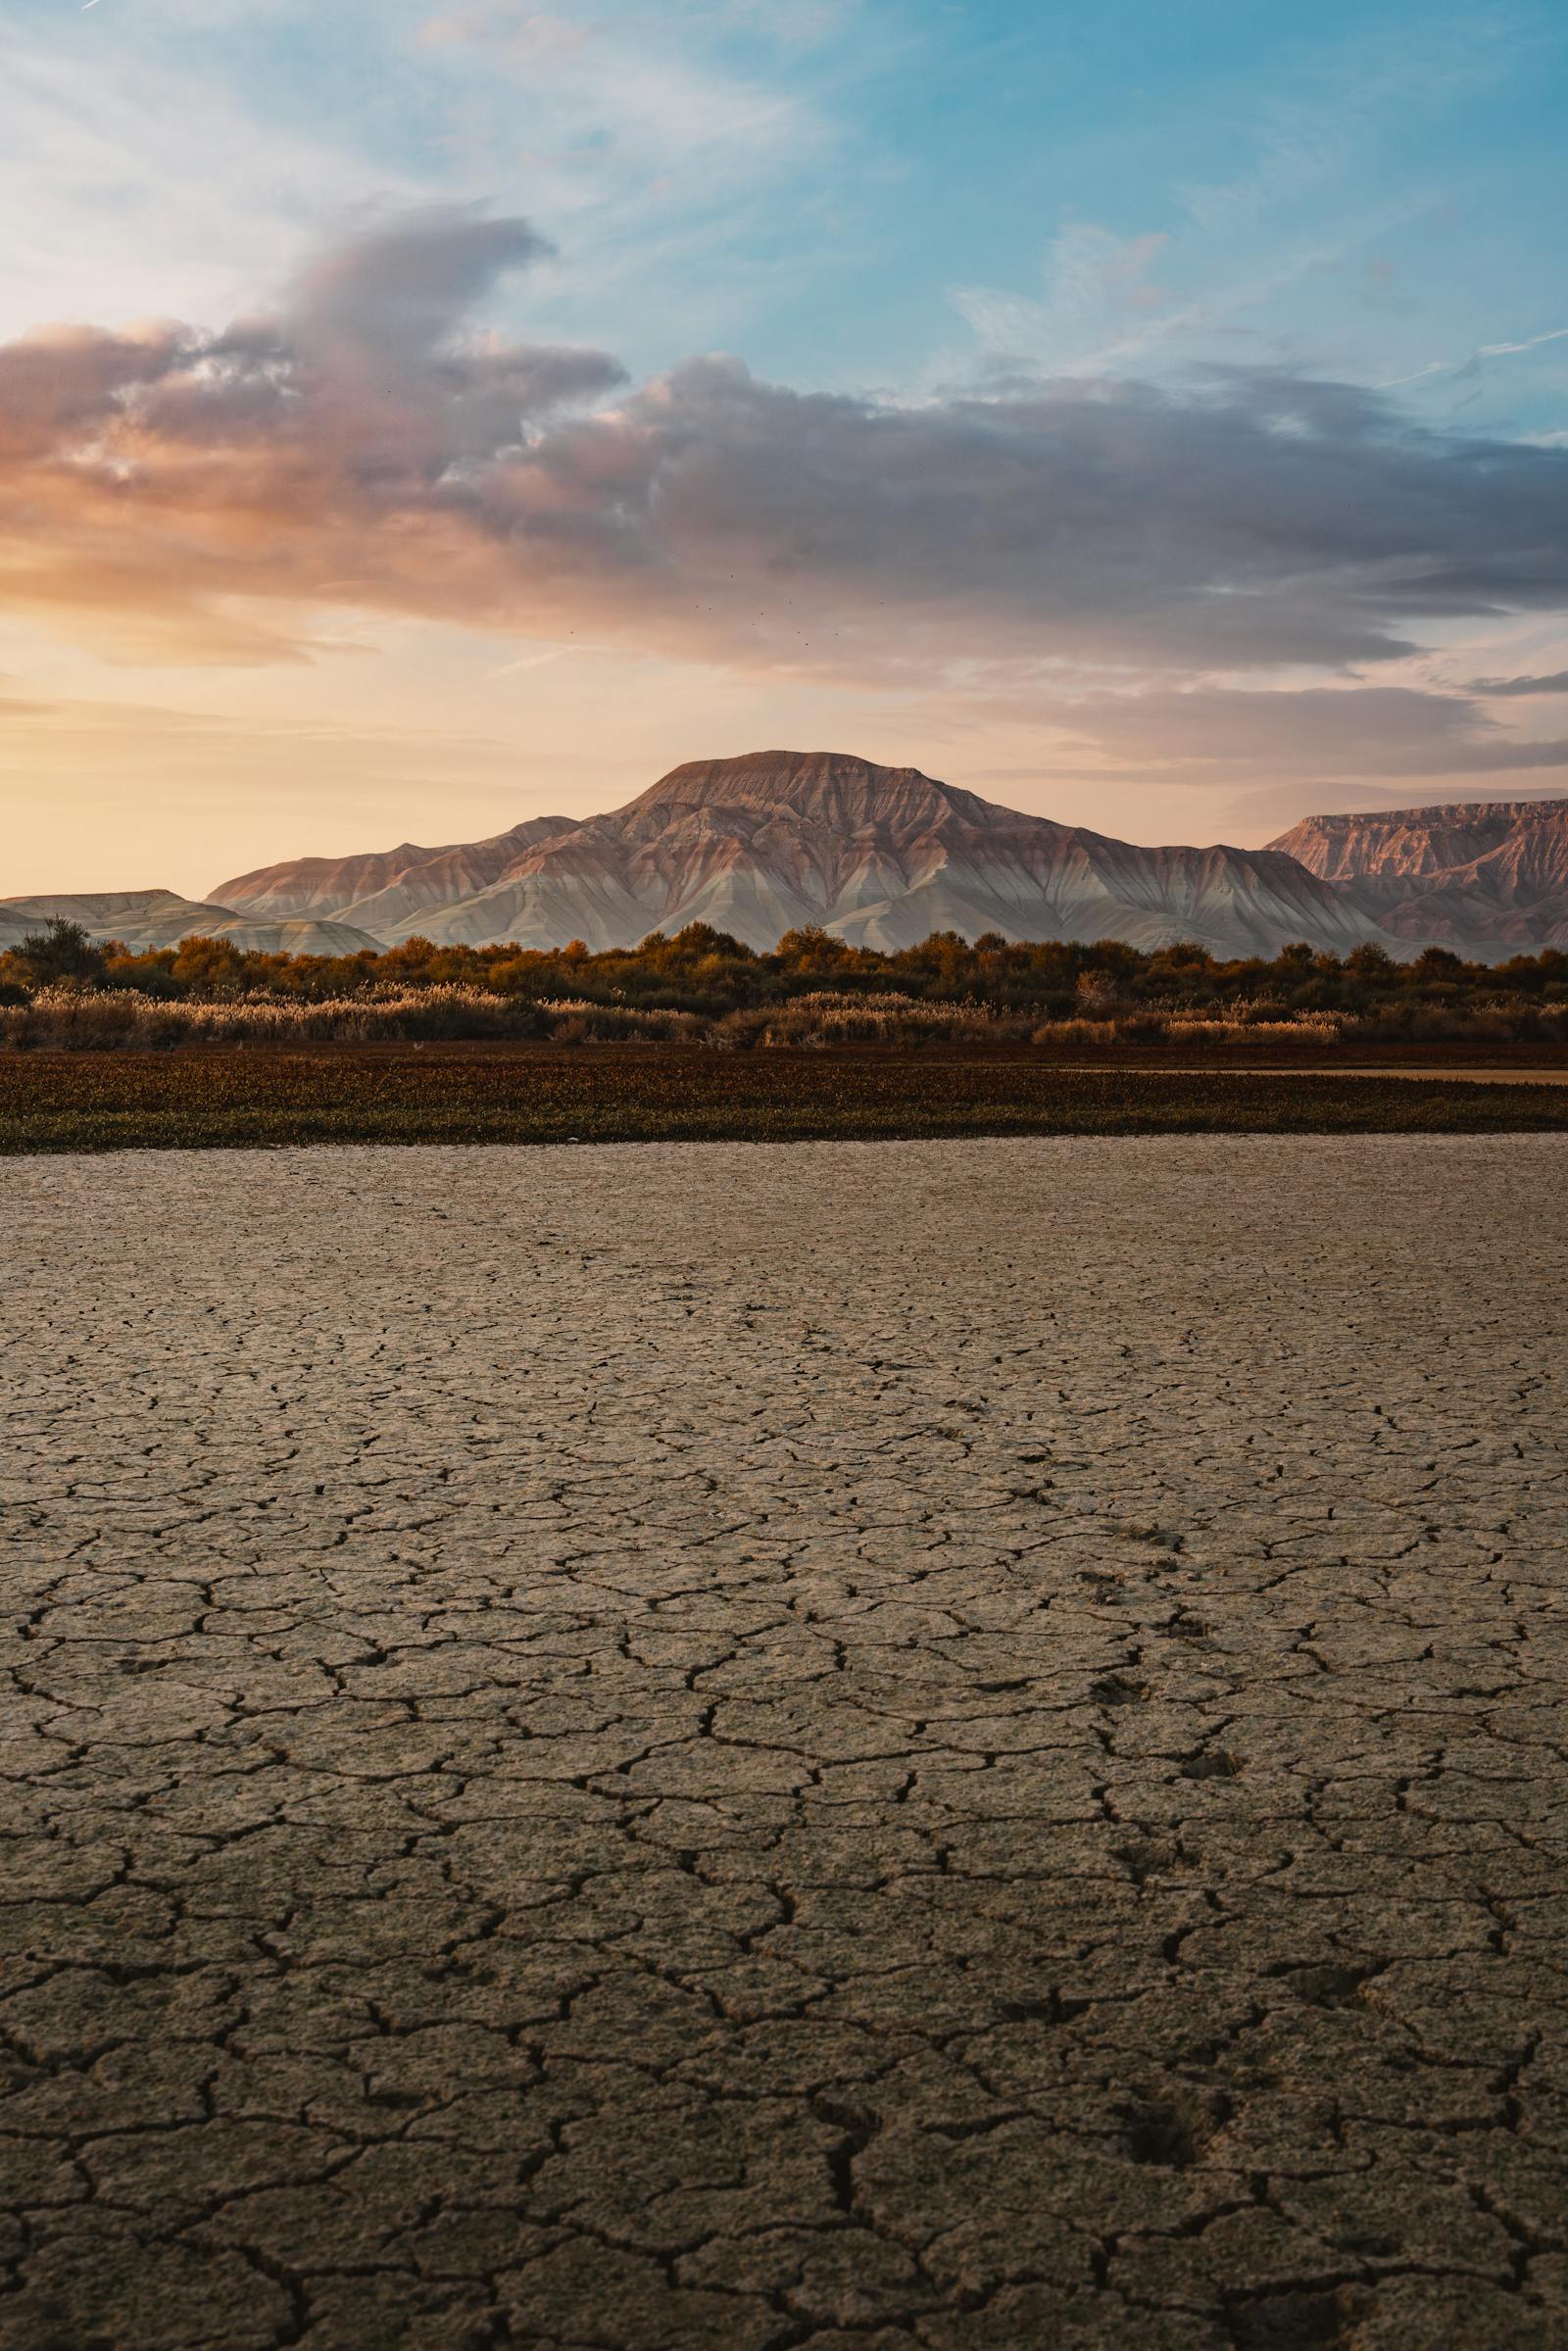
<point>645,1094</point>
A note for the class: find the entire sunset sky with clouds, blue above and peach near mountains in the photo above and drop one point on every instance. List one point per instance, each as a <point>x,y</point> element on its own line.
<point>438,413</point>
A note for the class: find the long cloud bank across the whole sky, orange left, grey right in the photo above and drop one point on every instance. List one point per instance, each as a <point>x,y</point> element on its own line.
<point>368,438</point>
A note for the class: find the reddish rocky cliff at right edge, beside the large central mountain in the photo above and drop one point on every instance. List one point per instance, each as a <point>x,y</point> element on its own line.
<point>1482,878</point>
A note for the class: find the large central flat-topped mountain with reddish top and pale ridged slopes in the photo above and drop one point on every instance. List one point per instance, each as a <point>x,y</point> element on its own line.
<point>779,840</point>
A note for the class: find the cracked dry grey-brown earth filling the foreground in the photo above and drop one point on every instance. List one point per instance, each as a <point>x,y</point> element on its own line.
<point>864,1748</point>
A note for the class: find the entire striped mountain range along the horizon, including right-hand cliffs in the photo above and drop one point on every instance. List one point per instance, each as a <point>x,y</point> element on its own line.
<point>883,857</point>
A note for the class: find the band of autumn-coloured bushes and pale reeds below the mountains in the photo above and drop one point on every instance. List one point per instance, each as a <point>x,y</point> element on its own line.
<point>812,991</point>
